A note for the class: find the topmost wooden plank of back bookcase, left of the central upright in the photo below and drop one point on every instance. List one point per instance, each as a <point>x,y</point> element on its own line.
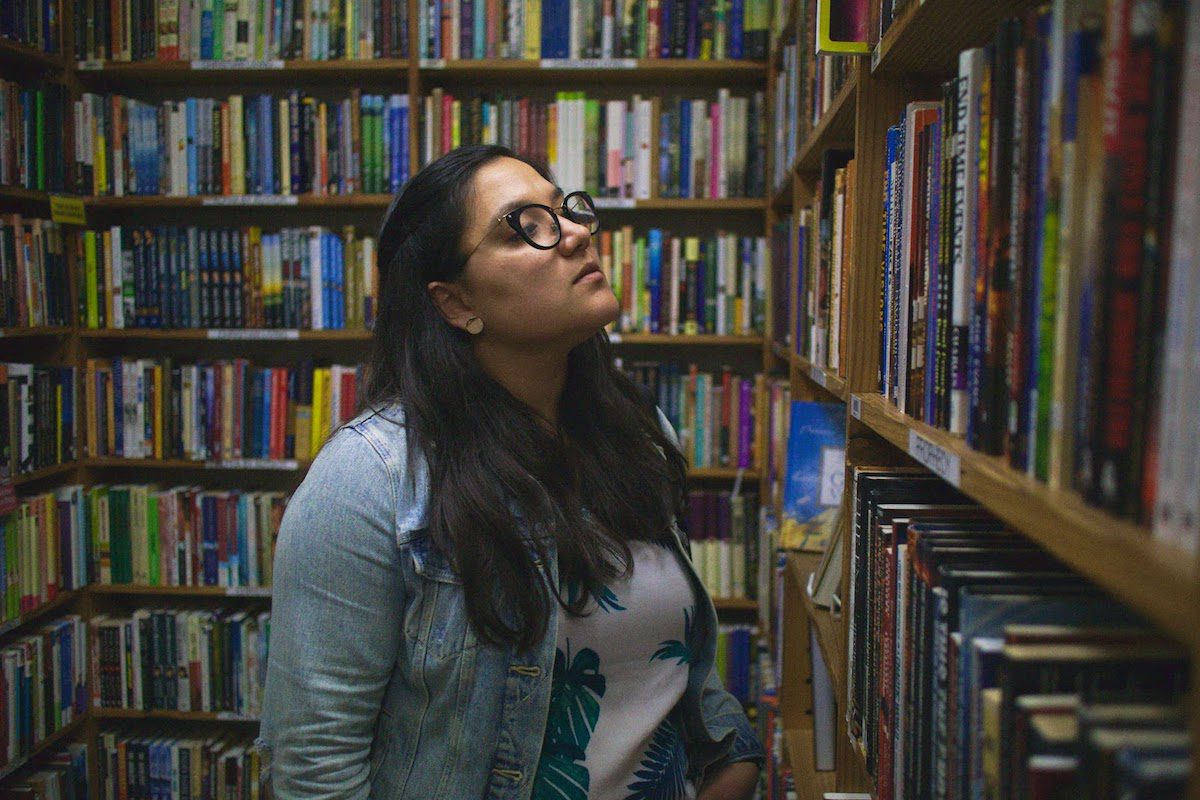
<point>233,73</point>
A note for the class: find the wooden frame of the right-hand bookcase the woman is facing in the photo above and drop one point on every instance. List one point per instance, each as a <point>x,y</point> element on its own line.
<point>1150,576</point>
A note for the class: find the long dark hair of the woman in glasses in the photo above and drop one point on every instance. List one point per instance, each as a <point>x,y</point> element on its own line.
<point>505,489</point>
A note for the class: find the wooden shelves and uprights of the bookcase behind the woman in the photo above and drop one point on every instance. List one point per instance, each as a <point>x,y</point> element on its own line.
<point>160,82</point>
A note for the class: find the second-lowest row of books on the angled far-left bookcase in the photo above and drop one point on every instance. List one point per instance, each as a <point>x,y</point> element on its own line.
<point>43,678</point>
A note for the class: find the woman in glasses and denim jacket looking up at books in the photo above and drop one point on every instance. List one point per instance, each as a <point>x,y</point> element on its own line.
<point>458,612</point>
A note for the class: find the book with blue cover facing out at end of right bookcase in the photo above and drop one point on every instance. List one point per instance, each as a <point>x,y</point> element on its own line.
<point>817,468</point>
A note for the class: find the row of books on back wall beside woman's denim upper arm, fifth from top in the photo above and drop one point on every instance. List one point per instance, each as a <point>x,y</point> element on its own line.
<point>183,537</point>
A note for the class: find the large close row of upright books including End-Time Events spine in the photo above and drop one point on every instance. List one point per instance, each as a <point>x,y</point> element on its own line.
<point>1028,224</point>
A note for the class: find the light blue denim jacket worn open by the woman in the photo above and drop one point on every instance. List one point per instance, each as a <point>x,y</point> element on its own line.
<point>379,688</point>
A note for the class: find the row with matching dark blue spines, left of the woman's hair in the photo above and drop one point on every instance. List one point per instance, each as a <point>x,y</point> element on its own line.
<point>171,278</point>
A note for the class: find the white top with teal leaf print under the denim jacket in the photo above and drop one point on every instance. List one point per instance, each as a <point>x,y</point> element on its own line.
<point>619,675</point>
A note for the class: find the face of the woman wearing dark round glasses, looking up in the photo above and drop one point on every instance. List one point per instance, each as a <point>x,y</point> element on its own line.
<point>530,298</point>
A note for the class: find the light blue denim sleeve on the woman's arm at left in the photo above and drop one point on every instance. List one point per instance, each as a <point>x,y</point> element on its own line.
<point>337,599</point>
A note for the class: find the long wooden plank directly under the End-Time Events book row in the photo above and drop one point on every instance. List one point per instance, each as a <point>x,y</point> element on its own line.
<point>1154,579</point>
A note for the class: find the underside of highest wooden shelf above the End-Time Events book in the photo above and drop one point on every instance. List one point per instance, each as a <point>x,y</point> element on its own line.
<point>927,39</point>
